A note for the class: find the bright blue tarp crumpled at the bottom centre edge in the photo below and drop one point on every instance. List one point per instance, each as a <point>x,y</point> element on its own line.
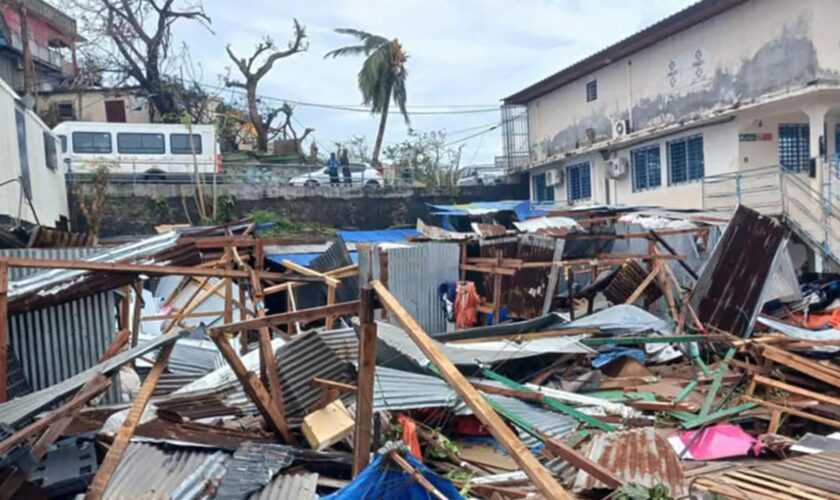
<point>383,479</point>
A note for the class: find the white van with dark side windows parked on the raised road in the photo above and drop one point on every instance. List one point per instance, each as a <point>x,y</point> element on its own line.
<point>145,149</point>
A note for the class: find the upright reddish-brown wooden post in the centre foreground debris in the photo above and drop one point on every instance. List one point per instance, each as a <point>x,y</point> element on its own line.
<point>364,383</point>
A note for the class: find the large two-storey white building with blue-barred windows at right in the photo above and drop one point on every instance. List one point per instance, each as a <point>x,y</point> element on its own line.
<point>723,86</point>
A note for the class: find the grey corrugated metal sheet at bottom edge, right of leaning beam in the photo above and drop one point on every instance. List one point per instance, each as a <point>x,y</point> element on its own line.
<point>154,472</point>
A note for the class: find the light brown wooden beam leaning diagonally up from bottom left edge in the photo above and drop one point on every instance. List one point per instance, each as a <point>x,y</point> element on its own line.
<point>123,436</point>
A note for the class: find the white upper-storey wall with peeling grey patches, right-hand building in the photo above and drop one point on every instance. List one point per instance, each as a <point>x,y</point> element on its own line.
<point>754,50</point>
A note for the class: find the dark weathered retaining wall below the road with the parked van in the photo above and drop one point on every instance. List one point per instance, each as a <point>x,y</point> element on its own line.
<point>137,209</point>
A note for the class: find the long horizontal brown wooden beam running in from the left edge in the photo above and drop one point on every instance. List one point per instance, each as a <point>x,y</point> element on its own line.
<point>151,270</point>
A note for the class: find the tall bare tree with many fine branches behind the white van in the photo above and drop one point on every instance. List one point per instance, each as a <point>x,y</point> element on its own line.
<point>132,39</point>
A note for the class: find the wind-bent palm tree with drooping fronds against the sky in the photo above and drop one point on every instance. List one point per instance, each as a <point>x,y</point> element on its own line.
<point>381,78</point>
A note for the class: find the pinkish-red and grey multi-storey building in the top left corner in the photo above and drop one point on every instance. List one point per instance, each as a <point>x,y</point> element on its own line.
<point>52,43</point>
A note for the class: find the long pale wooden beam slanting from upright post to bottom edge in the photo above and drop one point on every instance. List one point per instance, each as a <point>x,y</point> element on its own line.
<point>542,479</point>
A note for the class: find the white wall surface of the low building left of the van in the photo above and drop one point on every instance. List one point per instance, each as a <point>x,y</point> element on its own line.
<point>49,195</point>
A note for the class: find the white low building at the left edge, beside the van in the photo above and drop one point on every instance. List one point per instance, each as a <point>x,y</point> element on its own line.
<point>32,185</point>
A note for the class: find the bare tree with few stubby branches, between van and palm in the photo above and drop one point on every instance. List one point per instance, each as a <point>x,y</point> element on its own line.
<point>252,74</point>
